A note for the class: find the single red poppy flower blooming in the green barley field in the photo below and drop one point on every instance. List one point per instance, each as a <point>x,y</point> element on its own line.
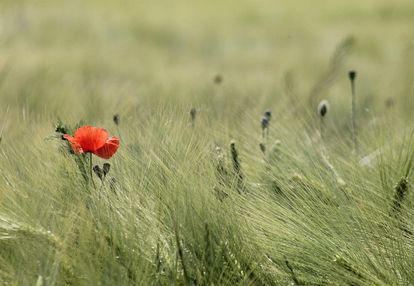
<point>93,140</point>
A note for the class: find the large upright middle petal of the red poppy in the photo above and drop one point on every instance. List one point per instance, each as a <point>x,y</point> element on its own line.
<point>91,138</point>
